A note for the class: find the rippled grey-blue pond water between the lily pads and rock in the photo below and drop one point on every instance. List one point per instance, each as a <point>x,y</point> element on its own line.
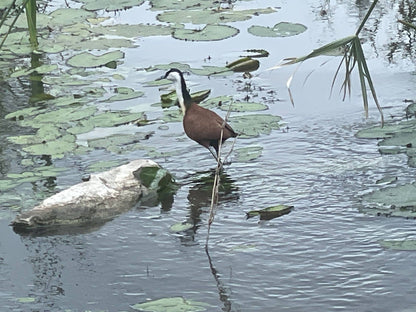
<point>323,256</point>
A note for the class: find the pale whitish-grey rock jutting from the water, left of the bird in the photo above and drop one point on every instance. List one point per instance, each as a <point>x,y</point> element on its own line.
<point>102,197</point>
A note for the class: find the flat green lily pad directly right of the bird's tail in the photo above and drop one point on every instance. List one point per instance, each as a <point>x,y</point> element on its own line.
<point>254,125</point>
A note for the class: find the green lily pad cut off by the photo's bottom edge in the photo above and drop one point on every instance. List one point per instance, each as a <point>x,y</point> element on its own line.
<point>171,304</point>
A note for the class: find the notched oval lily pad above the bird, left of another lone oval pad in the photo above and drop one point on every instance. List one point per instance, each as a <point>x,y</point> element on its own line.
<point>207,33</point>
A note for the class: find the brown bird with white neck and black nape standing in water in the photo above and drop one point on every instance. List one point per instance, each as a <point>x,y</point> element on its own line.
<point>200,124</point>
